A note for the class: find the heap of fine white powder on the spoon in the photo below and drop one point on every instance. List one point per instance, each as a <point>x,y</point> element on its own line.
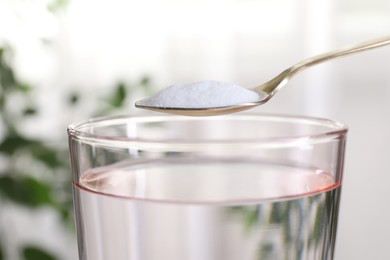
<point>203,94</point>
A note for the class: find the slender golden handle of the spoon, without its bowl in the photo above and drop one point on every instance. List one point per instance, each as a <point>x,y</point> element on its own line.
<point>279,81</point>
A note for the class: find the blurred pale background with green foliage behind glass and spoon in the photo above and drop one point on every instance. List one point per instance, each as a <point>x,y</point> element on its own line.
<point>63,61</point>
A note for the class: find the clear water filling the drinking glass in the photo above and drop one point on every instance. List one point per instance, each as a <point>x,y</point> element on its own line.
<point>206,211</point>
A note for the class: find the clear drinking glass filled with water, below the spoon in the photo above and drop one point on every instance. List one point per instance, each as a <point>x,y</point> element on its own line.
<point>237,187</point>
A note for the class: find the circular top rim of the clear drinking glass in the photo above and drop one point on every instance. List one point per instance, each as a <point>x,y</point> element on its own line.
<point>334,129</point>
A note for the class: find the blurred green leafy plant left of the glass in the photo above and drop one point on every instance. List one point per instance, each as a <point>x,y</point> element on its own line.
<point>33,173</point>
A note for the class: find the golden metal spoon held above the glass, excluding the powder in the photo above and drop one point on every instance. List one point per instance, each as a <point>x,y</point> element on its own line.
<point>270,88</point>
